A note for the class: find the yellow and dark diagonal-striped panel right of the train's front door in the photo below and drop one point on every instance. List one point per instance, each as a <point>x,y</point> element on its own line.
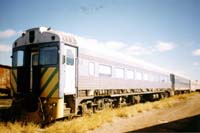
<point>49,82</point>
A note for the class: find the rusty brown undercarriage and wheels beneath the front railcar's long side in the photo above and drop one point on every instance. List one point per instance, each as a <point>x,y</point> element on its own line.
<point>102,99</point>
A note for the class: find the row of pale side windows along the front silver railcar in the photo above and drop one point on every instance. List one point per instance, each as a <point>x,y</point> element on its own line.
<point>106,70</point>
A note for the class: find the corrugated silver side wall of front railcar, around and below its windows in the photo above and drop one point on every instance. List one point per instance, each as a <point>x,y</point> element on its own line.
<point>96,81</point>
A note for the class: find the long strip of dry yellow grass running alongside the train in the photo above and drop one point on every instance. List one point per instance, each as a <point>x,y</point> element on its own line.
<point>87,123</point>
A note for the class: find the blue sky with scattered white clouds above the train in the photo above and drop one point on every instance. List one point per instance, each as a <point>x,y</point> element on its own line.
<point>162,32</point>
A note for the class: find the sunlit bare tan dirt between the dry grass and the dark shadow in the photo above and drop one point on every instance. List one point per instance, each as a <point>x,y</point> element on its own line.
<point>183,109</point>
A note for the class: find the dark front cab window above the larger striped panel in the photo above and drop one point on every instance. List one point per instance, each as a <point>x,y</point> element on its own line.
<point>49,56</point>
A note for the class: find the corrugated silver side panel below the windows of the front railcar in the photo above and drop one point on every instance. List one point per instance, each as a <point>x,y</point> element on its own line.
<point>92,83</point>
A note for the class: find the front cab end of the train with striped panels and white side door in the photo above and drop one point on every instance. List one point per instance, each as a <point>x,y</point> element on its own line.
<point>41,79</point>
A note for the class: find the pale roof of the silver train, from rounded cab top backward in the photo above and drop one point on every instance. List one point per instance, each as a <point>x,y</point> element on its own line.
<point>44,34</point>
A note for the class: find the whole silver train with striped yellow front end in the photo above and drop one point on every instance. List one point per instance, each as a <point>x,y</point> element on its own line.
<point>51,77</point>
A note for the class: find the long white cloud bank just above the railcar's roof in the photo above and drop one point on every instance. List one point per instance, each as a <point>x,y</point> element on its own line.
<point>120,47</point>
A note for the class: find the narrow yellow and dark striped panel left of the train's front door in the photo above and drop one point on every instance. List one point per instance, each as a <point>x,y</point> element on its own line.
<point>14,80</point>
